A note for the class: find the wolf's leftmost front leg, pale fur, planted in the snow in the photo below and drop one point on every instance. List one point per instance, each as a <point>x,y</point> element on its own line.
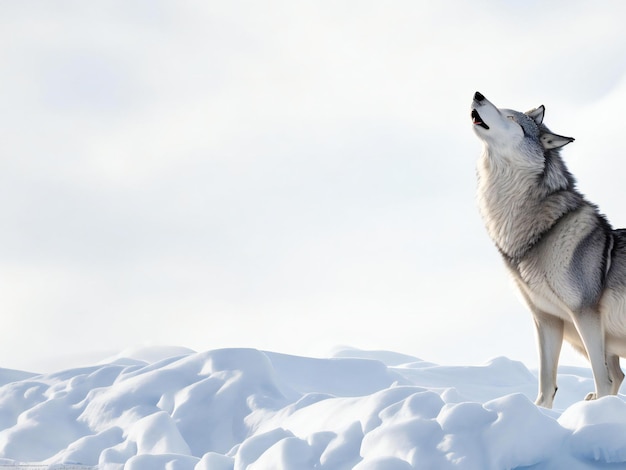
<point>549,341</point>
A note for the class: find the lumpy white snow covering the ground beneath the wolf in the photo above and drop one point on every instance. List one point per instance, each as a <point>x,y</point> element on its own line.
<point>245,409</point>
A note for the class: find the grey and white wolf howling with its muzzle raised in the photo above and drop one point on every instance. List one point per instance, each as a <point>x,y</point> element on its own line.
<point>565,258</point>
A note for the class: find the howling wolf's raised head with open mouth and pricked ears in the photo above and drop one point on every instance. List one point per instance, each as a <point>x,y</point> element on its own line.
<point>511,131</point>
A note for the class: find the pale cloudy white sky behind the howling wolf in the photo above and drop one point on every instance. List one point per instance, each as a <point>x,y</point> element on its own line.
<point>289,176</point>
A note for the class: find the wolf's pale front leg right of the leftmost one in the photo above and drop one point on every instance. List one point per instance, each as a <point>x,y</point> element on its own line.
<point>589,326</point>
